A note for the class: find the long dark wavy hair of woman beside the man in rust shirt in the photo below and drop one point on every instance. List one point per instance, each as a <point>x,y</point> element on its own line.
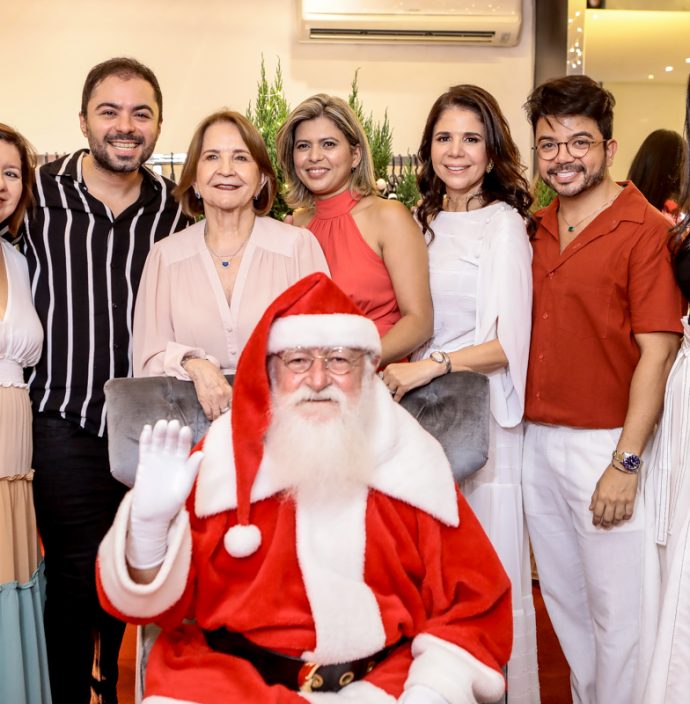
<point>505,182</point>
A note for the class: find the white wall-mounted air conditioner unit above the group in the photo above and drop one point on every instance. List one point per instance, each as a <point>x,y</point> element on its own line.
<point>487,22</point>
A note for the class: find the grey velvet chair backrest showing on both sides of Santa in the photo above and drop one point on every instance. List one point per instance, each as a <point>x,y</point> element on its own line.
<point>454,408</point>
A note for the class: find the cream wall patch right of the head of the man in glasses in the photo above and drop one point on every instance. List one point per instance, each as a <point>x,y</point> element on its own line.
<point>640,109</point>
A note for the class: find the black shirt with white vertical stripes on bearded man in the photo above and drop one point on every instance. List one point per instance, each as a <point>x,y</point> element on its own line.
<point>85,267</point>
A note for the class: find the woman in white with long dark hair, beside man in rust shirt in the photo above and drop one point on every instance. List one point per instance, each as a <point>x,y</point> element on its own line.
<point>475,215</point>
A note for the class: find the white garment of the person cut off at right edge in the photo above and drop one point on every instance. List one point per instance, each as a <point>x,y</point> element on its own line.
<point>665,639</point>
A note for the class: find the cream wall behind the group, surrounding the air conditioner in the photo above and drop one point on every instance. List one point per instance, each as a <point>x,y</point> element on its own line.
<point>207,54</point>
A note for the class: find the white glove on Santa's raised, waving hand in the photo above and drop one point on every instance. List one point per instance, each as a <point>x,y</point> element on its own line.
<point>164,478</point>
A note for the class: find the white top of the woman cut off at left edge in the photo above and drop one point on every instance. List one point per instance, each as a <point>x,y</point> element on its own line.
<point>21,334</point>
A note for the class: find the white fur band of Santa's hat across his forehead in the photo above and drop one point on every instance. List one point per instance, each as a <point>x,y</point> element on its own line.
<point>329,330</point>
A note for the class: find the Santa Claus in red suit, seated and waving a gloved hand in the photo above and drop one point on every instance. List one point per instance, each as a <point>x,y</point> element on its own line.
<point>323,552</point>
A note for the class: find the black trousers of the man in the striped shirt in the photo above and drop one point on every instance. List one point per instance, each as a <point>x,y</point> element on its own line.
<point>76,499</point>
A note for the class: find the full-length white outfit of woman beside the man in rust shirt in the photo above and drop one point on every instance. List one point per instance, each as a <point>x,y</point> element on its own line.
<point>481,286</point>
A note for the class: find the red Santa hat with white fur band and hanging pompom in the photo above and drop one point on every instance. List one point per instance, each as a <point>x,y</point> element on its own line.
<point>314,312</point>
